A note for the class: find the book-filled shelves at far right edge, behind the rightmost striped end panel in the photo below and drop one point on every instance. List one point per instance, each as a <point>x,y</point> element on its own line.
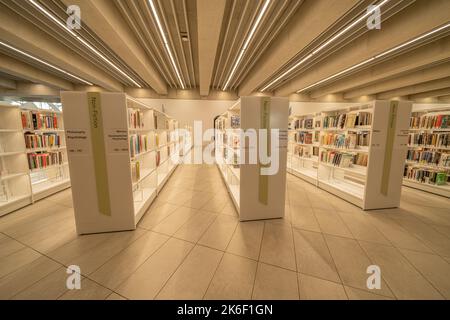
<point>427,164</point>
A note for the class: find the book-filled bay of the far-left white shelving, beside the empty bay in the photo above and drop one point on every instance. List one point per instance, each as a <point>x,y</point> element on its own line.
<point>49,142</point>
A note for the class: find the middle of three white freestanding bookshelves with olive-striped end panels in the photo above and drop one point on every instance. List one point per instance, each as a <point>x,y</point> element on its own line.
<point>266,201</point>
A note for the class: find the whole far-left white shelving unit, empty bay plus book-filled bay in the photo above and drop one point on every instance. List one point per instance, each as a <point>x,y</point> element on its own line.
<point>33,159</point>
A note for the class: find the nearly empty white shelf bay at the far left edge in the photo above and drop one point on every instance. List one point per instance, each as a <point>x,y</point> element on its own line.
<point>15,186</point>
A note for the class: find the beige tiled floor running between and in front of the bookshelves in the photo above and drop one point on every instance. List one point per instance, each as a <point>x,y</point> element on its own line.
<point>190,245</point>
